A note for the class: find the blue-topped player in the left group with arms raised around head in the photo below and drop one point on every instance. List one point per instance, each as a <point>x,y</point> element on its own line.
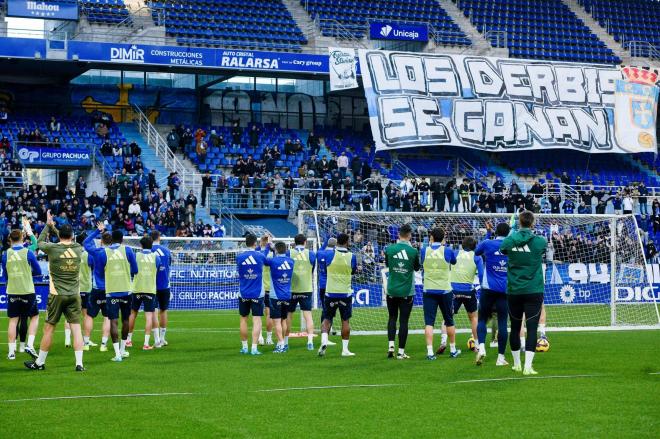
<point>96,302</point>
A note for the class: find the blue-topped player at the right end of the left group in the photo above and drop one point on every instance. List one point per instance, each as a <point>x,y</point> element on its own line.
<point>159,327</point>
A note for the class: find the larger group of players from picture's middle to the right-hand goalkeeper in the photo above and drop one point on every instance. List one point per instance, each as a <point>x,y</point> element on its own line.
<point>275,281</point>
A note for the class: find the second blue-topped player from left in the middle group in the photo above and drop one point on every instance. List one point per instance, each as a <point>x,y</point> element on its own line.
<point>281,274</point>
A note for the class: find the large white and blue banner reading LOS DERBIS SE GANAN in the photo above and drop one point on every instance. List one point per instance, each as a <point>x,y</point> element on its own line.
<point>500,104</point>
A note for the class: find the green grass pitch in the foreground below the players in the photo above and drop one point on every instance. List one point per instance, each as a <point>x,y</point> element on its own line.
<point>619,400</point>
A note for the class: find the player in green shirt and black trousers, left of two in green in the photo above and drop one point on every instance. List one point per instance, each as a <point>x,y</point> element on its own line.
<point>402,261</point>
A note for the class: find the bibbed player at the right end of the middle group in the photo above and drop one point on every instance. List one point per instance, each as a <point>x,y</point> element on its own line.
<point>340,265</point>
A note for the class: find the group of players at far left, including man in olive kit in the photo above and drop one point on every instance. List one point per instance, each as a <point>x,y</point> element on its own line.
<point>85,280</point>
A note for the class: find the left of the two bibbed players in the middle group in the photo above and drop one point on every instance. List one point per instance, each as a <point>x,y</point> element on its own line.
<point>302,287</point>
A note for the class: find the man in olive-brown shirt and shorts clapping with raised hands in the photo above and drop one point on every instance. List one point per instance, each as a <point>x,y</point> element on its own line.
<point>64,292</point>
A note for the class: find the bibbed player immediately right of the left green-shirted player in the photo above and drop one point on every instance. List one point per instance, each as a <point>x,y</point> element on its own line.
<point>436,260</point>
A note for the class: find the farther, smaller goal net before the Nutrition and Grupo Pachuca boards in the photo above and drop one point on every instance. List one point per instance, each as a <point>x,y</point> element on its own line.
<point>203,272</point>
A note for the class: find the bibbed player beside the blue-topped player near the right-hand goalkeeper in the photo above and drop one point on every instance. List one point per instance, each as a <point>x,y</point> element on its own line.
<point>462,275</point>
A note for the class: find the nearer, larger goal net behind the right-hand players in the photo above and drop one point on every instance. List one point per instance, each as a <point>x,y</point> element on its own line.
<point>595,270</point>
